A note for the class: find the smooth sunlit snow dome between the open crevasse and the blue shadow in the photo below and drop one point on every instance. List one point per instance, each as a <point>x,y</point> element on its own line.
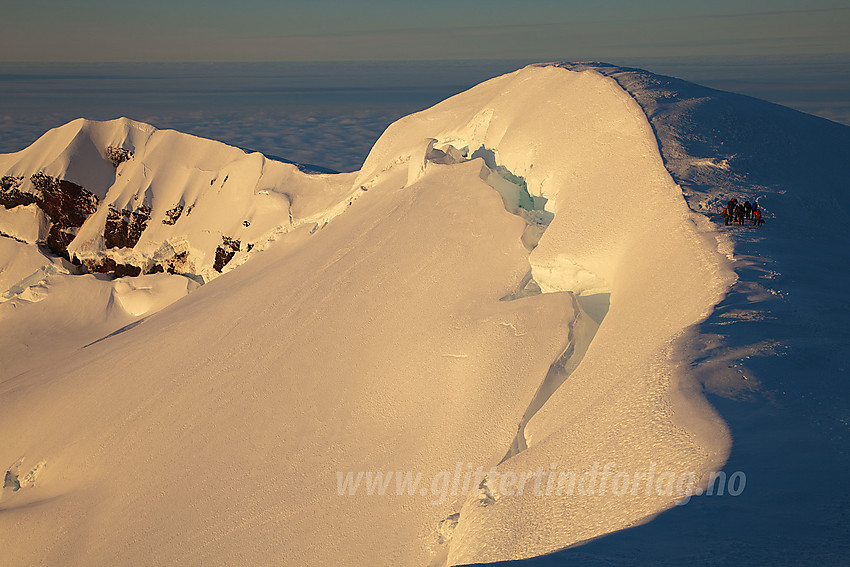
<point>621,227</point>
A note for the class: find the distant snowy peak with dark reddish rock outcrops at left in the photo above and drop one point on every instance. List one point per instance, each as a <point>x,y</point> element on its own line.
<point>121,197</point>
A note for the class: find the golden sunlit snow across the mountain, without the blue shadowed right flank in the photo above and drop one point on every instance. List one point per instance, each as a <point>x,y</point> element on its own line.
<point>414,332</point>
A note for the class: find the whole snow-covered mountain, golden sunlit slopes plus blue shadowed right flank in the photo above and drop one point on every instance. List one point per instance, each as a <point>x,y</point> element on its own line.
<point>530,269</point>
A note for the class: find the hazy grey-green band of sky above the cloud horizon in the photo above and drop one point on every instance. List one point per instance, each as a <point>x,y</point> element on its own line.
<point>328,30</point>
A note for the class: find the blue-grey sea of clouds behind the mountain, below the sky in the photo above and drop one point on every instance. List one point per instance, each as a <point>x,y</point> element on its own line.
<point>330,114</point>
